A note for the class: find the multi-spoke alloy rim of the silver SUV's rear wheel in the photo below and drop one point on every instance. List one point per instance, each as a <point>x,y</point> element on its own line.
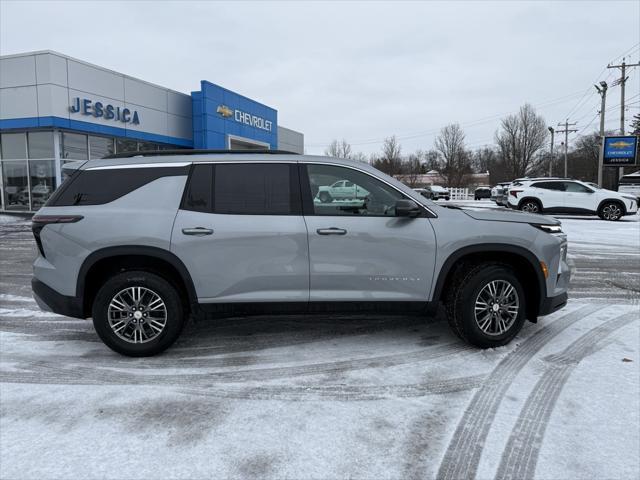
<point>137,314</point>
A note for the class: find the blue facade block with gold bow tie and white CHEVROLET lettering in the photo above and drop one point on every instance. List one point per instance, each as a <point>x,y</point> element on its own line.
<point>220,115</point>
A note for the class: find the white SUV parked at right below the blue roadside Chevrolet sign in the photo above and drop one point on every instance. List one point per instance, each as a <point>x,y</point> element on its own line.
<point>569,196</point>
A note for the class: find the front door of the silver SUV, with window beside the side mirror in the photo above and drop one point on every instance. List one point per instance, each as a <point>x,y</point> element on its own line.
<point>360,250</point>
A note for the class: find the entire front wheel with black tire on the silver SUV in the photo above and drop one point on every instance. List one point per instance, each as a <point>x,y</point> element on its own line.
<point>471,284</point>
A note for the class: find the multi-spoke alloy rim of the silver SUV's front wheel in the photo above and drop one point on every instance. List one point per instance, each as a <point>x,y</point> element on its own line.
<point>496,307</point>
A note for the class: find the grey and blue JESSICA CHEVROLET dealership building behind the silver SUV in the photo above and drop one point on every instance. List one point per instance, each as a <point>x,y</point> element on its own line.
<point>55,109</point>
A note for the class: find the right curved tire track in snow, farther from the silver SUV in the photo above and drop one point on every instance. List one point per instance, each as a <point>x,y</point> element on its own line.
<point>520,456</point>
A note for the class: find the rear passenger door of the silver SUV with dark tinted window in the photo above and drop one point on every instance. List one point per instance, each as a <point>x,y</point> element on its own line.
<point>241,235</point>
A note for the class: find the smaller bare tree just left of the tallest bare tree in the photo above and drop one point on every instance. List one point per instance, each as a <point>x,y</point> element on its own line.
<point>457,160</point>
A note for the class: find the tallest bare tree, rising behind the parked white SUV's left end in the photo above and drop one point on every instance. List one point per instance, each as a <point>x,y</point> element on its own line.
<point>520,138</point>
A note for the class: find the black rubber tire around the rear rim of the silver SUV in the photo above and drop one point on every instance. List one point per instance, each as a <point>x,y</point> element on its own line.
<point>173,306</point>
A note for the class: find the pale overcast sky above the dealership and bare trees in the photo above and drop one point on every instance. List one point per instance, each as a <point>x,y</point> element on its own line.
<point>361,70</point>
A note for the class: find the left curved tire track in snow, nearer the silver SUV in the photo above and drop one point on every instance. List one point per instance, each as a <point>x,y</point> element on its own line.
<point>462,456</point>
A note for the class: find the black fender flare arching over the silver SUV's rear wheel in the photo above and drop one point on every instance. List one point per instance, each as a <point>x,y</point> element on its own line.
<point>147,251</point>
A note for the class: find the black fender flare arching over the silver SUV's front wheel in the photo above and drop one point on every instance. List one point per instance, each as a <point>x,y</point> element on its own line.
<point>451,260</point>
